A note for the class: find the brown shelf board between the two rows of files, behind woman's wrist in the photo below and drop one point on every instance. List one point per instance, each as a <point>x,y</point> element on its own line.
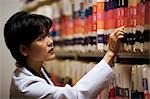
<point>129,58</point>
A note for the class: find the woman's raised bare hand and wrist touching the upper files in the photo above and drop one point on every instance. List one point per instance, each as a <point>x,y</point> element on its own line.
<point>114,44</point>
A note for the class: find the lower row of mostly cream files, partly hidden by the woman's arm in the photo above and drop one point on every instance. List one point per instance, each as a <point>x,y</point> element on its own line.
<point>131,81</point>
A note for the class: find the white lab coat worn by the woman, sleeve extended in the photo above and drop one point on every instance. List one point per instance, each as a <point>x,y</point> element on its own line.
<point>26,85</point>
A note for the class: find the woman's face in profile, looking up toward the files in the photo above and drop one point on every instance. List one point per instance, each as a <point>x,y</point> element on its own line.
<point>41,49</point>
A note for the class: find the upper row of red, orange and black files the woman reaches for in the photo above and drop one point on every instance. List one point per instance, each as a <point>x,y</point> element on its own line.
<point>84,25</point>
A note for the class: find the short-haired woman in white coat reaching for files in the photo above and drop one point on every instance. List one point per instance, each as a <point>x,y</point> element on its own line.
<point>27,38</point>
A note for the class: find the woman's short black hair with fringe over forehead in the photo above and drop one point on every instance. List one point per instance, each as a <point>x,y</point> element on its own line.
<point>23,28</point>
